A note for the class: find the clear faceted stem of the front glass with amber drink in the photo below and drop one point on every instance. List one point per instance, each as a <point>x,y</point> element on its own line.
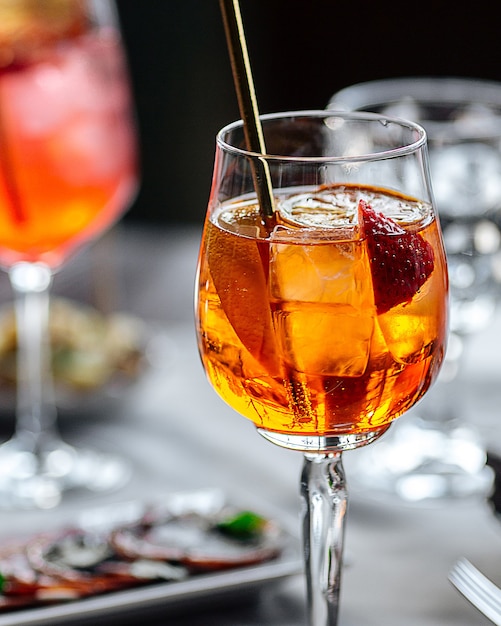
<point>325,497</point>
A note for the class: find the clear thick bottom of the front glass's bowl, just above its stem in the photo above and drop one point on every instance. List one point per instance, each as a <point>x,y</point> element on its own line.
<point>322,444</point>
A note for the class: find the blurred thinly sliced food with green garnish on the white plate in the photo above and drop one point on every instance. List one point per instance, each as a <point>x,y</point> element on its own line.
<point>160,546</point>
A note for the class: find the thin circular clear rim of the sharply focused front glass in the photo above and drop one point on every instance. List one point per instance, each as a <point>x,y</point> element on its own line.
<point>390,153</point>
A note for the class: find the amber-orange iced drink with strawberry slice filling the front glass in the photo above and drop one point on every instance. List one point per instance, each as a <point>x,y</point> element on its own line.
<point>332,324</point>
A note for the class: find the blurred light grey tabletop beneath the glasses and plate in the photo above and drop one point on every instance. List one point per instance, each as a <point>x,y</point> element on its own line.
<point>178,435</point>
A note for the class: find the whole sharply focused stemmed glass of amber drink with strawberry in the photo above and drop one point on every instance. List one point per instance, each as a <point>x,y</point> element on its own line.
<point>326,320</point>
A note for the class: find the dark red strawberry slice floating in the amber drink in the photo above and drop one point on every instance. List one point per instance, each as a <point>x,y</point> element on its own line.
<point>401,262</point>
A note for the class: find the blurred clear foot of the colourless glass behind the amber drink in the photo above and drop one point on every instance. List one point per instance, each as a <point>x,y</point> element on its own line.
<point>424,461</point>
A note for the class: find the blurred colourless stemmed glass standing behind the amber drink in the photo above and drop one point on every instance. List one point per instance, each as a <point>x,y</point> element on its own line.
<point>438,453</point>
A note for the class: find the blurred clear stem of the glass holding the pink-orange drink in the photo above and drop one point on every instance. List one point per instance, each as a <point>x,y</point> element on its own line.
<point>35,412</point>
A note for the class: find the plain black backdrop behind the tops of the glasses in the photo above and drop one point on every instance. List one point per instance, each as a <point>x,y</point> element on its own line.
<point>302,51</point>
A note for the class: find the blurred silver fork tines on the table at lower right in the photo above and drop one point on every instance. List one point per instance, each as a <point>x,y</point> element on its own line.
<point>478,589</point>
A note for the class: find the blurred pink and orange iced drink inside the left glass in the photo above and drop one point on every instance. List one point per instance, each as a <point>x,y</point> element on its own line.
<point>67,146</point>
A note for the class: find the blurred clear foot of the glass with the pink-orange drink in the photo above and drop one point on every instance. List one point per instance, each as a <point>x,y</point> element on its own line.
<point>39,481</point>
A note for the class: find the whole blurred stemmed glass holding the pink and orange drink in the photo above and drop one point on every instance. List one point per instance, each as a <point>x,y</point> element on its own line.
<point>67,173</point>
